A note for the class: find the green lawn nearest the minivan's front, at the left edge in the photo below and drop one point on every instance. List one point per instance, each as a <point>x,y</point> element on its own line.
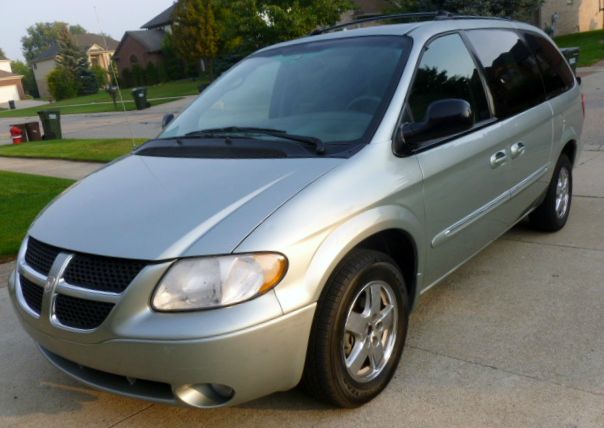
<point>22,196</point>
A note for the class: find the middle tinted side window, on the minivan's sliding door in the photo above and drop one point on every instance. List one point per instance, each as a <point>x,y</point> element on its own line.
<point>511,70</point>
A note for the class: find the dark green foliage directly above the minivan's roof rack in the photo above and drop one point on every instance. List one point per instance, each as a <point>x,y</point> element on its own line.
<point>518,9</point>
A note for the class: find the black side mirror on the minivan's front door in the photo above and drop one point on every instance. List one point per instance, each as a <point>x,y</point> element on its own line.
<point>443,117</point>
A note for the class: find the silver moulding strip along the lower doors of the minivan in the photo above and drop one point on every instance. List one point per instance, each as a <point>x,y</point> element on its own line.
<point>458,226</point>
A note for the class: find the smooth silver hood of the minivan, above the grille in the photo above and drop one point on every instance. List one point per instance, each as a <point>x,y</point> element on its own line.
<point>155,208</point>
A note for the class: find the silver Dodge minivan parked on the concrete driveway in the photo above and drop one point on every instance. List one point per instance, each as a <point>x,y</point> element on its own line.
<point>281,229</point>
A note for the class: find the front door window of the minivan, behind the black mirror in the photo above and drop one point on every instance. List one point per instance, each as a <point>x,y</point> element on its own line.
<point>446,70</point>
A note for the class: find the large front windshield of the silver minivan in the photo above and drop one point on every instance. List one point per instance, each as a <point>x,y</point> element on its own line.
<point>335,90</point>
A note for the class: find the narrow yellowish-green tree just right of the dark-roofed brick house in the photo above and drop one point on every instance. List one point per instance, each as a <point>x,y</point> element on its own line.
<point>195,31</point>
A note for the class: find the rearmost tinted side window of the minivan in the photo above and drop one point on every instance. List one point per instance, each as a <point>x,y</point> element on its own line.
<point>557,76</point>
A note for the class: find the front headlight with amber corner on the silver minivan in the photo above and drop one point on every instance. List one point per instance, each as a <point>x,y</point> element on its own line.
<point>212,282</point>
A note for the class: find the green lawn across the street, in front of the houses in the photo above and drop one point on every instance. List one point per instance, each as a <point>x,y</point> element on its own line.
<point>101,101</point>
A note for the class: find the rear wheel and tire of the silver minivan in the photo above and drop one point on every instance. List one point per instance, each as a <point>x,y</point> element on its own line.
<point>553,212</point>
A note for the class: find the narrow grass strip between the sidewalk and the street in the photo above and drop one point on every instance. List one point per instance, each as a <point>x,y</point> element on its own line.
<point>101,150</point>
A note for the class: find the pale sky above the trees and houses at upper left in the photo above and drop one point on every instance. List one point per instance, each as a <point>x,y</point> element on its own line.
<point>114,17</point>
